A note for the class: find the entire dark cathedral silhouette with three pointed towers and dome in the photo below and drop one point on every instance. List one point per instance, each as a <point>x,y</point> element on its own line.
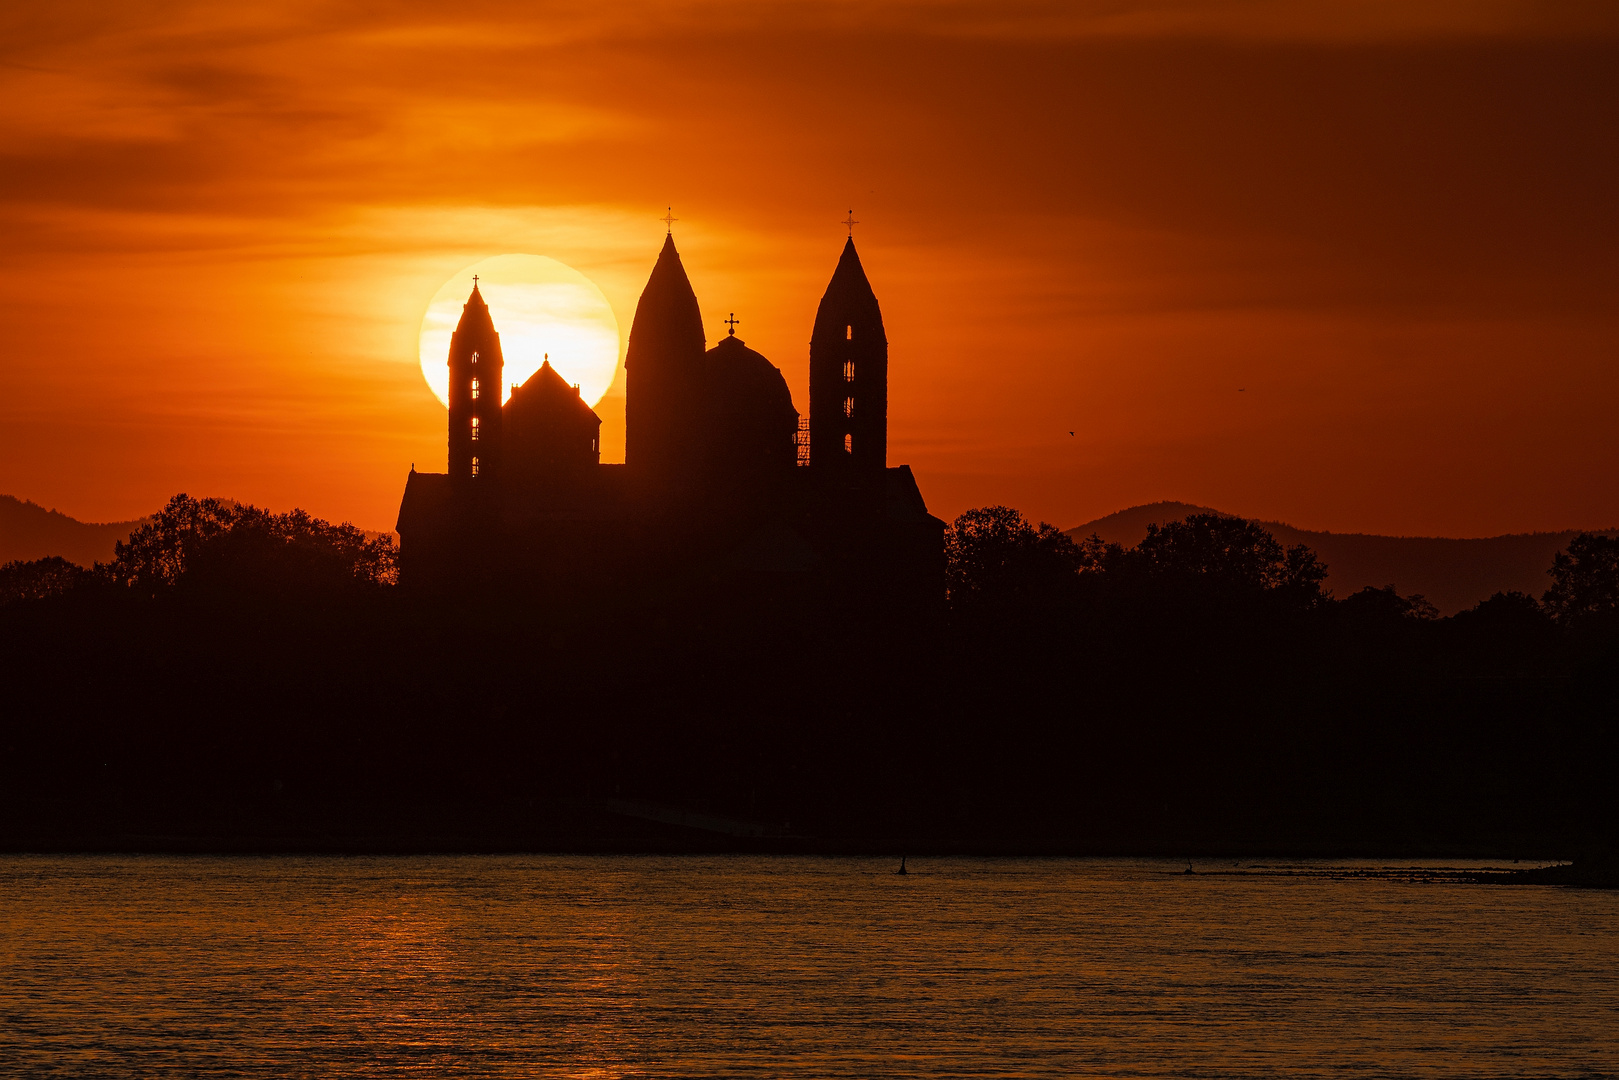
<point>725,493</point>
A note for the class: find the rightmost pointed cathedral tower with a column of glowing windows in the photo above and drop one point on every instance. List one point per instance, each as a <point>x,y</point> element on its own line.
<point>849,376</point>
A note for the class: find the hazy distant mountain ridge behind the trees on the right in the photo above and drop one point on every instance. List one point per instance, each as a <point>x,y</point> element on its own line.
<point>1453,574</point>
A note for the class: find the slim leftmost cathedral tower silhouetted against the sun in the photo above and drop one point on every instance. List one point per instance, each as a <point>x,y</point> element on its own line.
<point>477,388</point>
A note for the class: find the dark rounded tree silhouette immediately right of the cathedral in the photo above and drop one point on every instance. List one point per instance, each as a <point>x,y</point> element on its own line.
<point>995,555</point>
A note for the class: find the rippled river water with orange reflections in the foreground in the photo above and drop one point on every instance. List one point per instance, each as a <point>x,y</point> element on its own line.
<point>794,967</point>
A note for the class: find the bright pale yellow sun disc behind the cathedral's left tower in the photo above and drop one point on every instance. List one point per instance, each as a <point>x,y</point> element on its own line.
<point>540,307</point>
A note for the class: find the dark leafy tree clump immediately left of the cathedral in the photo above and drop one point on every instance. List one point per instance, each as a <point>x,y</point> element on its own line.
<point>208,545</point>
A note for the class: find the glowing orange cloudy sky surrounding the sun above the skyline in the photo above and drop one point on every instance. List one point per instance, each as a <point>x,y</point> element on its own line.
<point>1396,231</point>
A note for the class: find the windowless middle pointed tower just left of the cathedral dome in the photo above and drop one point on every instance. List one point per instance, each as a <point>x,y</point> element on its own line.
<point>665,373</point>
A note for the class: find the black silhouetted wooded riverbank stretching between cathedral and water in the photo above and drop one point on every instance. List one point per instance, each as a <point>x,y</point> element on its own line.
<point>257,681</point>
